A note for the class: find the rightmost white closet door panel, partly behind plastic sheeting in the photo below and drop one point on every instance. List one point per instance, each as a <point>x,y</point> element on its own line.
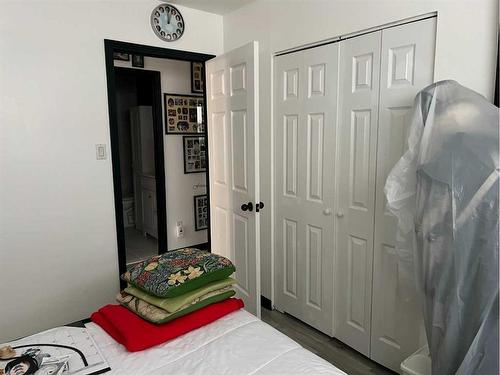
<point>407,67</point>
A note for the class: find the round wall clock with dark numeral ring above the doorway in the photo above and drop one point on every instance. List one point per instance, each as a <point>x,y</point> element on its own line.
<point>167,22</point>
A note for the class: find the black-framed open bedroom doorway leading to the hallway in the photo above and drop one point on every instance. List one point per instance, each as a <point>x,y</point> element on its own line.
<point>143,151</point>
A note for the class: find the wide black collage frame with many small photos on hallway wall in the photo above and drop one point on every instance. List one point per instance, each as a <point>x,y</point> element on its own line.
<point>184,114</point>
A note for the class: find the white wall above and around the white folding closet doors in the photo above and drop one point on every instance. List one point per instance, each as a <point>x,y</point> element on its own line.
<point>465,51</point>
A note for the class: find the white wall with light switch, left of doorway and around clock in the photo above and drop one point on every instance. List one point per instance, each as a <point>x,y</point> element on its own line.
<point>58,252</point>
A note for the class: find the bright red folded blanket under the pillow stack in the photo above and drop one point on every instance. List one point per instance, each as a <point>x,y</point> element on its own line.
<point>136,334</point>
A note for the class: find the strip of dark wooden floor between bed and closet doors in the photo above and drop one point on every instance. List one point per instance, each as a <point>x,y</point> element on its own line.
<point>330,349</point>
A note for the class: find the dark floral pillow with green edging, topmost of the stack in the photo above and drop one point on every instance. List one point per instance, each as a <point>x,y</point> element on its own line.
<point>177,272</point>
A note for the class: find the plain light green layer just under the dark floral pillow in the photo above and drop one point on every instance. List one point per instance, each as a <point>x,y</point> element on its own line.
<point>174,304</point>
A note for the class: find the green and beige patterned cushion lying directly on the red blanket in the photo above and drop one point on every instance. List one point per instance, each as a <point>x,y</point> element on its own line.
<point>156,315</point>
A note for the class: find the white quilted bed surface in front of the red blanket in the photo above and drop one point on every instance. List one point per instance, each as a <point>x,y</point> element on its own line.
<point>238,343</point>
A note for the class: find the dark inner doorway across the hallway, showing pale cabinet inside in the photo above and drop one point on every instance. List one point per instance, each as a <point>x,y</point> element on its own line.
<point>135,106</point>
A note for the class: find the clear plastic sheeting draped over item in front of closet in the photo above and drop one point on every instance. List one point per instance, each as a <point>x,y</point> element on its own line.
<point>444,192</point>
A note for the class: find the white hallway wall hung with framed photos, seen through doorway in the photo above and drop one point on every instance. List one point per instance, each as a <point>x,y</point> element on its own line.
<point>176,79</point>
